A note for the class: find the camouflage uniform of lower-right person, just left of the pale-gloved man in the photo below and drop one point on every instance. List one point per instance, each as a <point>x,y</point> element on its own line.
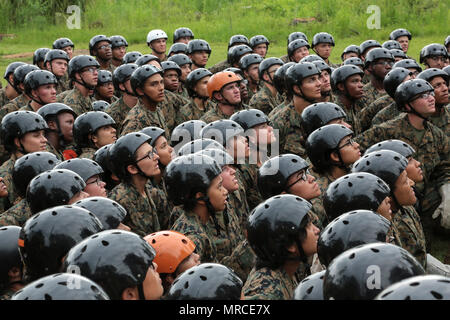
<point>411,233</point>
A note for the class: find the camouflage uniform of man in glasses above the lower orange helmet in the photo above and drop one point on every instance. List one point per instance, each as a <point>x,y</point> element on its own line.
<point>141,217</point>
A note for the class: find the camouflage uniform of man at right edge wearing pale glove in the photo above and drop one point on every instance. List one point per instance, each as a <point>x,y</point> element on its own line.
<point>432,151</point>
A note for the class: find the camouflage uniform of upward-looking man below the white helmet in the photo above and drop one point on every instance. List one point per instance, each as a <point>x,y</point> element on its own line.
<point>141,117</point>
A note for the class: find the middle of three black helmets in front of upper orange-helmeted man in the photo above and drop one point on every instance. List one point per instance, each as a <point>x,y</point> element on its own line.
<point>221,131</point>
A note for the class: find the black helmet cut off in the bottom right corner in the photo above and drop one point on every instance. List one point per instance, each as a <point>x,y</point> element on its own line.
<point>426,287</point>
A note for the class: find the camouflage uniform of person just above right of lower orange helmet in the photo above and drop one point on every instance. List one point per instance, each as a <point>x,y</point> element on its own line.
<point>227,248</point>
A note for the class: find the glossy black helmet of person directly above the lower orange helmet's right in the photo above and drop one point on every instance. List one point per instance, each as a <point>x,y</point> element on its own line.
<point>187,175</point>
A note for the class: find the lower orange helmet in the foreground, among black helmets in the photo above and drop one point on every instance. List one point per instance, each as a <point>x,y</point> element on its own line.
<point>171,249</point>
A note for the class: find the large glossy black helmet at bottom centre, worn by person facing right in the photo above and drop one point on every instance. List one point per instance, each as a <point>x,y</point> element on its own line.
<point>275,224</point>
